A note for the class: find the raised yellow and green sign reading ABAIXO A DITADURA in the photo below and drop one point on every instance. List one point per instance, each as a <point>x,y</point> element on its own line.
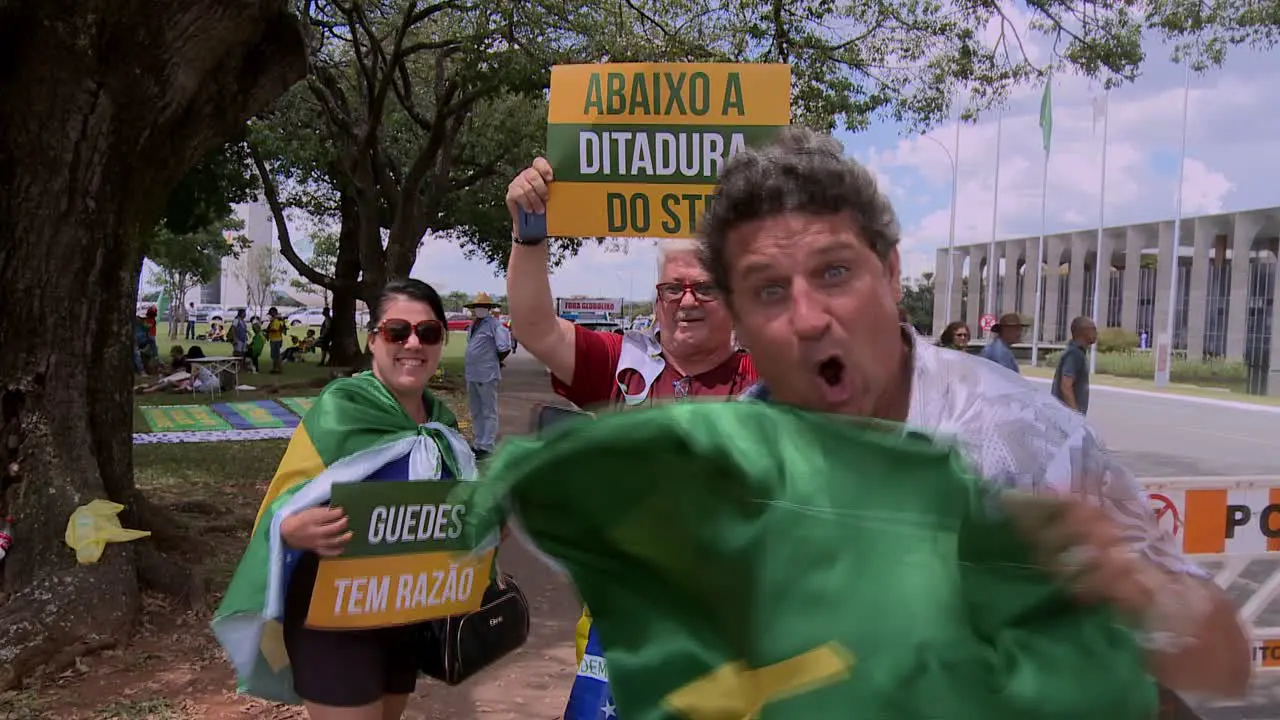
<point>638,149</point>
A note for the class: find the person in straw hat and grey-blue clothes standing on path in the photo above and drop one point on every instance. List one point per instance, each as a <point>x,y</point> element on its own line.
<point>488,344</point>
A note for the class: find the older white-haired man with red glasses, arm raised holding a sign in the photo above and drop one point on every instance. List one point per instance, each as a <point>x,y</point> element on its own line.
<point>691,356</point>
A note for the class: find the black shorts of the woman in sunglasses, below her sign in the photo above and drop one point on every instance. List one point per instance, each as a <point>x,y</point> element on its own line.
<point>344,668</point>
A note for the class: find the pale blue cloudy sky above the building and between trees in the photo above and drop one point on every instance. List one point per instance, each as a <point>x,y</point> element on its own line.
<point>1233,156</point>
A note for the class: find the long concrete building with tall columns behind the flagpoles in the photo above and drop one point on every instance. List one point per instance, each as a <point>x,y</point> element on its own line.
<point>1224,302</point>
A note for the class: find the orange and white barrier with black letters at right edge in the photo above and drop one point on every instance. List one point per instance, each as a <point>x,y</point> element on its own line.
<point>1235,522</point>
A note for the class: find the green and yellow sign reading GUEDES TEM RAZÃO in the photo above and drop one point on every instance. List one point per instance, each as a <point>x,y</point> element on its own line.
<point>409,559</point>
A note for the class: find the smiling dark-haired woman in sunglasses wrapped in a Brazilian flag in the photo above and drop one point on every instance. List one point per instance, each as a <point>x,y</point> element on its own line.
<point>382,422</point>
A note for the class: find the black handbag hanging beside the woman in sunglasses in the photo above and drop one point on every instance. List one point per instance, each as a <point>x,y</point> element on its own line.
<point>456,649</point>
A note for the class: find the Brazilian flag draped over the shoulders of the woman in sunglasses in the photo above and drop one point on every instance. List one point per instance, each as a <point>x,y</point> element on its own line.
<point>355,429</point>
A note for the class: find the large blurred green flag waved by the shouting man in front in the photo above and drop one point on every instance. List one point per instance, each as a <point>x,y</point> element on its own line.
<point>744,560</point>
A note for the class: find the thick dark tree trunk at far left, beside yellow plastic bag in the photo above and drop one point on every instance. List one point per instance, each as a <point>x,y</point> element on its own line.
<point>107,107</point>
